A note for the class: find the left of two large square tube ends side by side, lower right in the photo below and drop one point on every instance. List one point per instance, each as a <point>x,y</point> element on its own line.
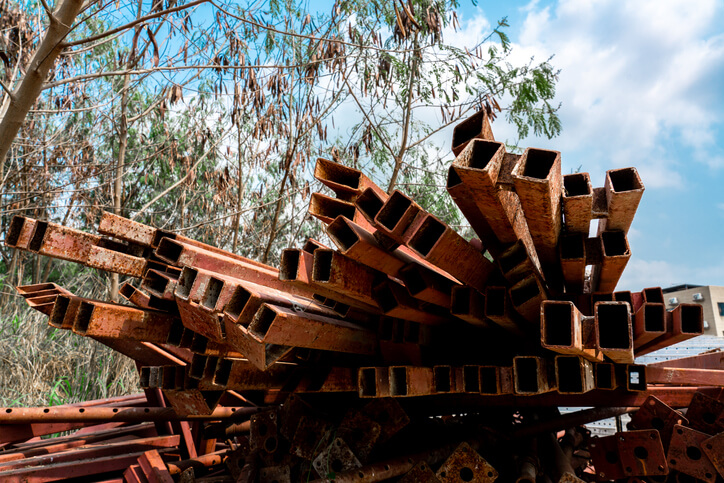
<point>566,331</point>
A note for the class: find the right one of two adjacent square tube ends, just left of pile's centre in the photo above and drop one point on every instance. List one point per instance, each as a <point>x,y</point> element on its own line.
<point>344,275</point>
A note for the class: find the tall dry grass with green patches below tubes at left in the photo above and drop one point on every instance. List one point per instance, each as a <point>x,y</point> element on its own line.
<point>41,365</point>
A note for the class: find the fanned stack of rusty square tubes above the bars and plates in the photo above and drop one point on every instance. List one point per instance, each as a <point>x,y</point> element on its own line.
<point>404,309</point>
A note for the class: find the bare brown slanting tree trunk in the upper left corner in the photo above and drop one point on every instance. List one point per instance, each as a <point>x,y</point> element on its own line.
<point>32,84</point>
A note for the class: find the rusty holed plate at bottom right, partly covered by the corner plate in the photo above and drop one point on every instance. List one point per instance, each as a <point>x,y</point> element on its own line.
<point>685,454</point>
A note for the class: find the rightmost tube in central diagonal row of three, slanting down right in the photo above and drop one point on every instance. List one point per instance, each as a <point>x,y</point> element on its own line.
<point>440,245</point>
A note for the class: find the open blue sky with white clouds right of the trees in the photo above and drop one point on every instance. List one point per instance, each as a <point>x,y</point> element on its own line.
<point>641,84</point>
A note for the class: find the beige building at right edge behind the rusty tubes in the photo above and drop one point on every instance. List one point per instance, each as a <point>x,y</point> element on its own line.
<point>710,297</point>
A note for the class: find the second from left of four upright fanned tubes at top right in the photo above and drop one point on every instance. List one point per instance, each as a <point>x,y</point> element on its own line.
<point>538,183</point>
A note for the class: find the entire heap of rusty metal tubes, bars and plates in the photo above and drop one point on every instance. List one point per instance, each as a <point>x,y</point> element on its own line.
<point>407,353</point>
